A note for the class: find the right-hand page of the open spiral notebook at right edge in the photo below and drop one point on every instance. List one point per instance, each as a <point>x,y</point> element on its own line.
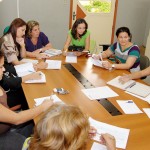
<point>139,89</point>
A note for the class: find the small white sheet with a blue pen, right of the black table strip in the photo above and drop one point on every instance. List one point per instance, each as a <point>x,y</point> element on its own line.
<point>129,107</point>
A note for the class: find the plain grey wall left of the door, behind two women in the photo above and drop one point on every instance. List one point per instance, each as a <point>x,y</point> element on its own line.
<point>52,15</point>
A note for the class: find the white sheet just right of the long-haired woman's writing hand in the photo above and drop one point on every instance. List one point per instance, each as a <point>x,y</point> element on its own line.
<point>54,64</point>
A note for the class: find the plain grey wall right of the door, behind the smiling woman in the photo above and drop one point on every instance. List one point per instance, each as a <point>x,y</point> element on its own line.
<point>134,14</point>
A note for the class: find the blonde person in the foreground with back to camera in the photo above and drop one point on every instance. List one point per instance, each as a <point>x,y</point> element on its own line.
<point>64,127</point>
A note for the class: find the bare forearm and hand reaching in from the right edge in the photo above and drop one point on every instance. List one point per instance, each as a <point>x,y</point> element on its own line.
<point>135,75</point>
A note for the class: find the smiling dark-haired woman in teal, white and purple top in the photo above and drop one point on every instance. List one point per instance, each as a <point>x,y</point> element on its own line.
<point>127,54</point>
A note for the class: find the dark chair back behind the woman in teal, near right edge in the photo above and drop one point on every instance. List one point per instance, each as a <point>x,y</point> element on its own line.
<point>144,63</point>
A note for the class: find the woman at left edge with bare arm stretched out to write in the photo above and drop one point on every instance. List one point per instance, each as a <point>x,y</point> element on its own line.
<point>13,137</point>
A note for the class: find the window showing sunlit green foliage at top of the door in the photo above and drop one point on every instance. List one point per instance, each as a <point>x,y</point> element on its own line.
<point>96,6</point>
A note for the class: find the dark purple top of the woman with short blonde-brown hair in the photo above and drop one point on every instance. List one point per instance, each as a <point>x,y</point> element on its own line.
<point>42,41</point>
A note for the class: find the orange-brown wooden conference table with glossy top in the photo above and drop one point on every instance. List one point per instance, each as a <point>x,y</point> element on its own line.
<point>77,76</point>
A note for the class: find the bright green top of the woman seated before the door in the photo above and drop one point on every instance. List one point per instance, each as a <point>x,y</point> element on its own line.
<point>78,42</point>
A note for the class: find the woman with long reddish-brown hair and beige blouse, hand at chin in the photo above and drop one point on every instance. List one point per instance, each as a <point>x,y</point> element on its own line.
<point>14,44</point>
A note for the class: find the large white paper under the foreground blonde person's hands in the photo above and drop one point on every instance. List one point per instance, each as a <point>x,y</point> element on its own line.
<point>120,134</point>
